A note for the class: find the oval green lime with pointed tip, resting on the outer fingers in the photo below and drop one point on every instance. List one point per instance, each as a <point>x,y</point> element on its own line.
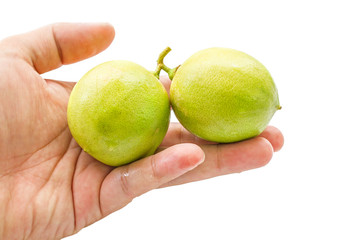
<point>223,95</point>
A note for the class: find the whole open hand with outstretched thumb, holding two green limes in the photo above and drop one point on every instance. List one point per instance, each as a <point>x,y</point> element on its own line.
<point>49,187</point>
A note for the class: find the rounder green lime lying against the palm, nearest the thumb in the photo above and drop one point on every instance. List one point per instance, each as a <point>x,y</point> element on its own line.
<point>118,112</point>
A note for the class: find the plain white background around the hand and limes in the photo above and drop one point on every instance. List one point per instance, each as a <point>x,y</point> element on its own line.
<point>310,190</point>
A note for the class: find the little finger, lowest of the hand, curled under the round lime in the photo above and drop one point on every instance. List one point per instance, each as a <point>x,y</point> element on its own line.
<point>127,182</point>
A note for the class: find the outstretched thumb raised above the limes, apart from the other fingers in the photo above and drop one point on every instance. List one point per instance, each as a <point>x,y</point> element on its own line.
<point>51,46</point>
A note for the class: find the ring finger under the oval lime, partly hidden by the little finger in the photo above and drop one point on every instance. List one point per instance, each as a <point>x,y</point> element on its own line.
<point>224,159</point>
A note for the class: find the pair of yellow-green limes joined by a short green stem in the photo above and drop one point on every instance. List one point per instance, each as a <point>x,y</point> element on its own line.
<point>119,112</point>
